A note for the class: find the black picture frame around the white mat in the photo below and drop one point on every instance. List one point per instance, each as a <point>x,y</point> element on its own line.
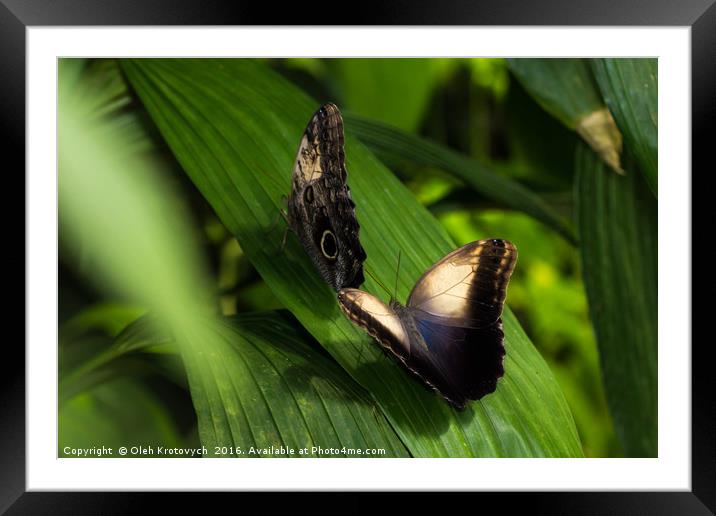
<point>17,15</point>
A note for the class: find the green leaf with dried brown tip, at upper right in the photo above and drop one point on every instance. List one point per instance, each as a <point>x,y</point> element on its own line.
<point>565,88</point>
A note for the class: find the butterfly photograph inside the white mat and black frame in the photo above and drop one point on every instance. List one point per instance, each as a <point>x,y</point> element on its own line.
<point>357,258</point>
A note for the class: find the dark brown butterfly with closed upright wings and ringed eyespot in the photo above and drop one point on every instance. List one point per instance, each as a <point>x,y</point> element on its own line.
<point>320,209</point>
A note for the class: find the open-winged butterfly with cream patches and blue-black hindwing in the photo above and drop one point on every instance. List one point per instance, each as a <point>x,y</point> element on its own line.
<point>450,332</point>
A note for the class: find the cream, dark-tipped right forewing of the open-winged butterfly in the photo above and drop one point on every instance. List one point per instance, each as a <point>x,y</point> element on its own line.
<point>467,287</point>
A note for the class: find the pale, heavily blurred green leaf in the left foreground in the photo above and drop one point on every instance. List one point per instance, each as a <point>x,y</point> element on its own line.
<point>116,209</point>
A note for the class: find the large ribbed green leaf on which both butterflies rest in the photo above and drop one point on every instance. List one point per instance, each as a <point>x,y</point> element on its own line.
<point>234,126</point>
